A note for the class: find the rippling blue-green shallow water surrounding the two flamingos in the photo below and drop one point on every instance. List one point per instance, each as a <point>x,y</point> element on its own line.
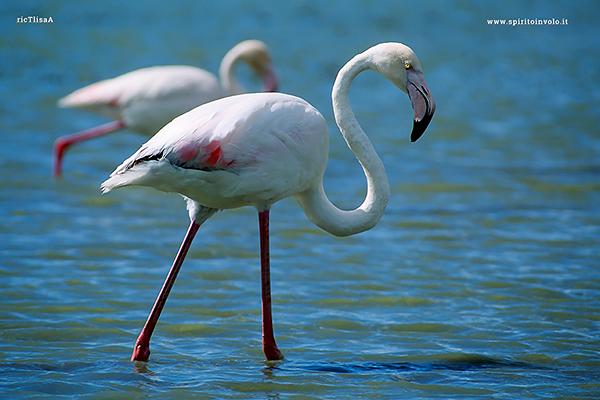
<point>480,281</point>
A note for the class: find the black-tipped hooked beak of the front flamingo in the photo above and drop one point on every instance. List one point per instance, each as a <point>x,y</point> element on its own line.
<point>422,102</point>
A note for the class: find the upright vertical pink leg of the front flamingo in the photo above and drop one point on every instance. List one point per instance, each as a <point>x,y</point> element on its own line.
<point>269,345</point>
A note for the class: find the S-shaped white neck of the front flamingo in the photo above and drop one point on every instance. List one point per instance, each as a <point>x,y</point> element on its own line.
<point>314,201</point>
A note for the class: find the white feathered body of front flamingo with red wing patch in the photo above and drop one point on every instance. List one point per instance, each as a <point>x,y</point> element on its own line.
<point>245,150</point>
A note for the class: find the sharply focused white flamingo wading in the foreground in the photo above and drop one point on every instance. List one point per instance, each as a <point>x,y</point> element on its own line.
<point>256,149</point>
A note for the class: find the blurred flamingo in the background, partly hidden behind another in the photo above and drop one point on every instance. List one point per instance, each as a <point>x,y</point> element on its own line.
<point>147,99</point>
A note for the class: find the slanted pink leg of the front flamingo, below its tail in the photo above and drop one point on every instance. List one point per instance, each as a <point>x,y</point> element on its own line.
<point>141,351</point>
